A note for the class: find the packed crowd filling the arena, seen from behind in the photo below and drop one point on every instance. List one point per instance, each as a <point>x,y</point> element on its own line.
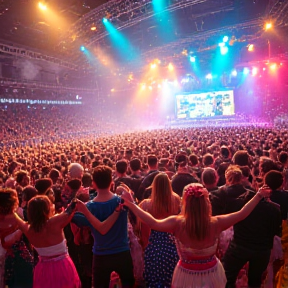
<point>182,190</point>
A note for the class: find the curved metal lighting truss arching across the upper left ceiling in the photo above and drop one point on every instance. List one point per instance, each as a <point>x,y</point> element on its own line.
<point>124,14</point>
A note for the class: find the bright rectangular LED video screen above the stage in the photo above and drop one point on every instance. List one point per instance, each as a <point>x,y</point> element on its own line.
<point>209,104</point>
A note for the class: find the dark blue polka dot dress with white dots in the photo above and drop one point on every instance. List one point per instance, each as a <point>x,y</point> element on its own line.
<point>160,259</point>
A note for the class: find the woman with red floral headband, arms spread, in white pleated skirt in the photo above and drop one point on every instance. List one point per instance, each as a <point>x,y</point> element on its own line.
<point>196,233</point>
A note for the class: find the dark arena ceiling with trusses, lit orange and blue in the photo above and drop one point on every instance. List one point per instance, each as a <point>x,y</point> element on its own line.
<point>194,25</point>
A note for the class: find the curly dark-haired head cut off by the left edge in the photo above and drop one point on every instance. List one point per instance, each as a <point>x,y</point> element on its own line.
<point>8,201</point>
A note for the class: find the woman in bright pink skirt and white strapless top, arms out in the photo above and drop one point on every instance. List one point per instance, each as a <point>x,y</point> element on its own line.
<point>55,268</point>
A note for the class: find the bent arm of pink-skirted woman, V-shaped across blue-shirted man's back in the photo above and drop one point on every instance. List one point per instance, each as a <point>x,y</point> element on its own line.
<point>102,227</point>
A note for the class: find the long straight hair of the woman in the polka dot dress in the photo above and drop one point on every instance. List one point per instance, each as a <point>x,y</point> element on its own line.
<point>161,196</point>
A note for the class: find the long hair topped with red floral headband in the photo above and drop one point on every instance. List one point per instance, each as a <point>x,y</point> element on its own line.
<point>197,211</point>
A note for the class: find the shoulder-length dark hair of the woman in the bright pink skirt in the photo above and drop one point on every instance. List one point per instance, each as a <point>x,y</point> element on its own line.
<point>38,212</point>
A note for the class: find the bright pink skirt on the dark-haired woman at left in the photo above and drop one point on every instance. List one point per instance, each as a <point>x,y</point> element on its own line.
<point>58,272</point>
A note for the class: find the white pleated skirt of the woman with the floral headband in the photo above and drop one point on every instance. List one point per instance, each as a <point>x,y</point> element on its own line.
<point>210,278</point>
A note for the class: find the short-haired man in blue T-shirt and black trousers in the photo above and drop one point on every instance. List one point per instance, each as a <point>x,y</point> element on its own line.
<point>111,252</point>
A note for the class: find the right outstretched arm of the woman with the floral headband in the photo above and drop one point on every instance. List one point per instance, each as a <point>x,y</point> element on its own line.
<point>226,221</point>
